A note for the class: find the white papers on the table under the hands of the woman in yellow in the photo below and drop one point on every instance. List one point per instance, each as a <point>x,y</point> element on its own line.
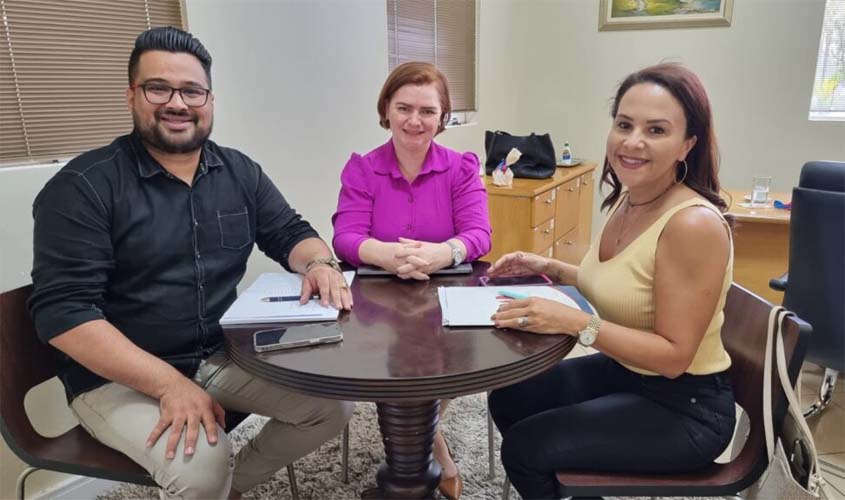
<point>474,305</point>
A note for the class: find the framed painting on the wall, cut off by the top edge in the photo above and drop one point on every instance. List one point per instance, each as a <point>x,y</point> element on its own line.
<point>649,14</point>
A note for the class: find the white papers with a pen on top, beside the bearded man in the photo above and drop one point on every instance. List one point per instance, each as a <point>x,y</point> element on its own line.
<point>274,298</point>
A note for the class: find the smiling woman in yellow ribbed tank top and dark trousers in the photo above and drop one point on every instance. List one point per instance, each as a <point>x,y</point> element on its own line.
<point>655,398</point>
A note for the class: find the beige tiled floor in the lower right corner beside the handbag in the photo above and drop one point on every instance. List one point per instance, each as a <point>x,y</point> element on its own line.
<point>828,428</point>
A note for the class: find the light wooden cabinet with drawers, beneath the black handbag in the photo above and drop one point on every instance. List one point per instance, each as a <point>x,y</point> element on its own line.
<point>551,217</point>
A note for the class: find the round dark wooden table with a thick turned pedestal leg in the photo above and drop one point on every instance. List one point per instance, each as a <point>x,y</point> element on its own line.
<point>396,353</point>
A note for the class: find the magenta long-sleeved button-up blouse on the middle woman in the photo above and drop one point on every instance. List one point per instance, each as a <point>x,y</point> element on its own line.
<point>446,200</point>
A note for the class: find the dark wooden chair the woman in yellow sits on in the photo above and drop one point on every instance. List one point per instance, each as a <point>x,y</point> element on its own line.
<point>744,336</point>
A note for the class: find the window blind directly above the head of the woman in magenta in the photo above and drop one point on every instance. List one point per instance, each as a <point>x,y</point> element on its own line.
<point>442,32</point>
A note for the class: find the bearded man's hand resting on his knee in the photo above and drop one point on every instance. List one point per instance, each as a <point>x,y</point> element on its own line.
<point>184,403</point>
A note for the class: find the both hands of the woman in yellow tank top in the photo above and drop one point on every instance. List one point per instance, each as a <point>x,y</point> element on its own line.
<point>533,314</point>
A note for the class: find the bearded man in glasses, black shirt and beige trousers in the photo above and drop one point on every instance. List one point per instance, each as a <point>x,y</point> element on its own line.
<point>138,249</point>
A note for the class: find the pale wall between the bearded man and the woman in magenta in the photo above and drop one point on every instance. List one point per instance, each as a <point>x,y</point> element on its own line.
<point>296,84</point>
